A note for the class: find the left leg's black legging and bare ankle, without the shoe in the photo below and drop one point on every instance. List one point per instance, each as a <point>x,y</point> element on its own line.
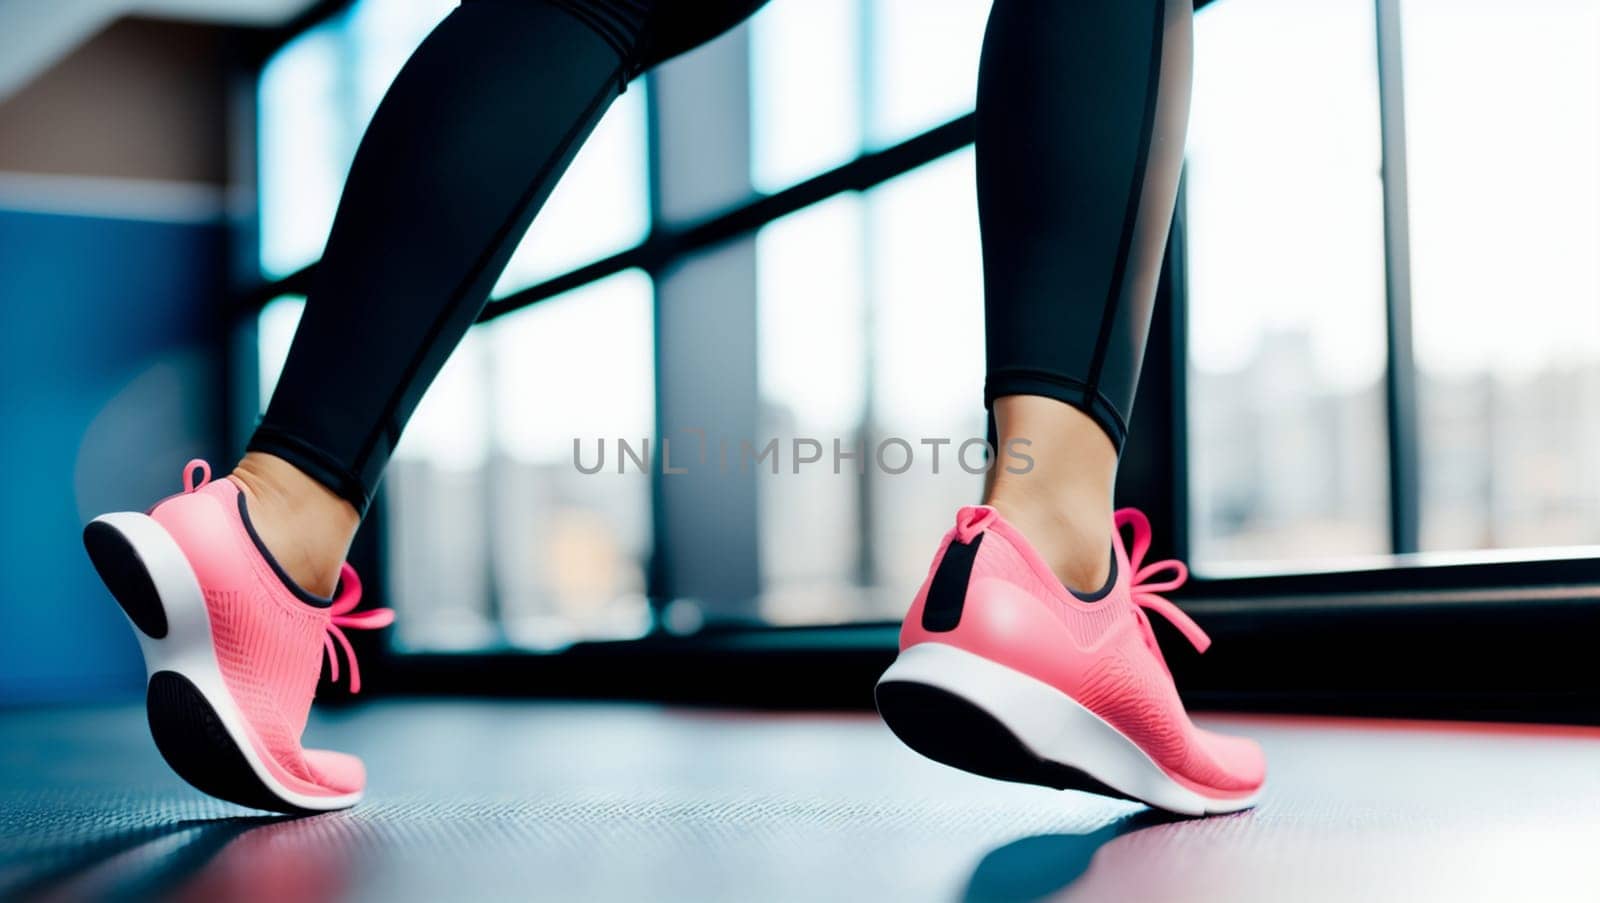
<point>465,150</point>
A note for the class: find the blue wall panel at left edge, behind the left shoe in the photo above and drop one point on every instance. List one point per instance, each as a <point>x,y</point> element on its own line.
<point>108,383</point>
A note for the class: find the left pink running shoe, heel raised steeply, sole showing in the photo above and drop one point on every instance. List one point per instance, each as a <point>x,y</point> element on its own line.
<point>233,648</point>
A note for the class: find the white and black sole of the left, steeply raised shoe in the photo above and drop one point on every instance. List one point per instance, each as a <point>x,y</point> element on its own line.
<point>194,720</point>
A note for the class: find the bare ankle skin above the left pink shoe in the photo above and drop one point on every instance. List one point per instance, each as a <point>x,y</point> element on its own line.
<point>305,526</point>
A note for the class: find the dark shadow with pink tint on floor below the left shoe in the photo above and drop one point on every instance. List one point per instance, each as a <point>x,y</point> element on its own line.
<point>198,859</point>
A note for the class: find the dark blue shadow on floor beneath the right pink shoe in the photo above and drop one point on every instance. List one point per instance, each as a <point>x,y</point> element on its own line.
<point>1047,865</point>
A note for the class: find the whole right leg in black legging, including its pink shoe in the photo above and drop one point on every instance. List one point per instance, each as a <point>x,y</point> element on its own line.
<point>1002,672</point>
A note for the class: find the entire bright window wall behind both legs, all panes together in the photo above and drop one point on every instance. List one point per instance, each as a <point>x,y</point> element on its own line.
<point>1391,310</point>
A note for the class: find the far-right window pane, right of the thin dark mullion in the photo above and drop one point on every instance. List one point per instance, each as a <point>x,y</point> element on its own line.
<point>1503,130</point>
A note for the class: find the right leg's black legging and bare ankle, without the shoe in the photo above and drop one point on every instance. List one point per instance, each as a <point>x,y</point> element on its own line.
<point>1082,111</point>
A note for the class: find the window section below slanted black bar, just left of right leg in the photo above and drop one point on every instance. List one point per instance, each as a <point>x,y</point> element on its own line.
<point>886,287</point>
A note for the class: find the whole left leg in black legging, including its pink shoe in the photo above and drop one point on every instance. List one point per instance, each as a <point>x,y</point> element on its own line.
<point>230,584</point>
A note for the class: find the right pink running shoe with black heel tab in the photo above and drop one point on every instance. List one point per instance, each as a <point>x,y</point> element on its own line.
<point>1009,675</point>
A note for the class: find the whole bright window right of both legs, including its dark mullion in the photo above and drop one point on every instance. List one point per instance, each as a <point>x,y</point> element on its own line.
<point>1298,278</point>
